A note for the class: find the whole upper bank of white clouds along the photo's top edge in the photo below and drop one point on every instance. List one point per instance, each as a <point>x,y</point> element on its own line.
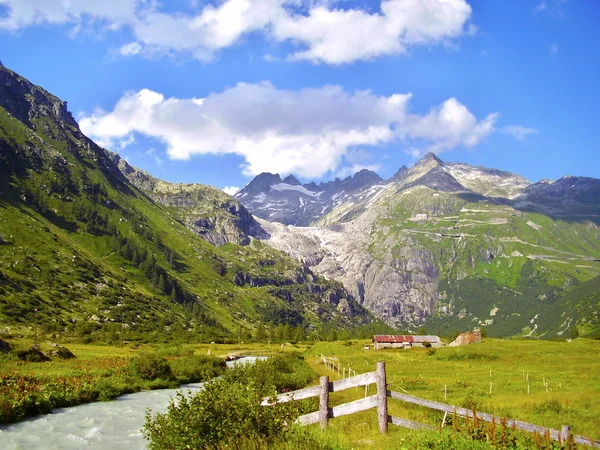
<point>322,32</point>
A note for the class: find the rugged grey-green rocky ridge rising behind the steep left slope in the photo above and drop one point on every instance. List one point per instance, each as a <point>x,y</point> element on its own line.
<point>209,212</point>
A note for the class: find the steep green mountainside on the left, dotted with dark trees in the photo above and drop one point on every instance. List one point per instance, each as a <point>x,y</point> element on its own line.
<point>93,254</point>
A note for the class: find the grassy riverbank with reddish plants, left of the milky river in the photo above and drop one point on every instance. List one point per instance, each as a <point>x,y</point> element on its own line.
<point>32,388</point>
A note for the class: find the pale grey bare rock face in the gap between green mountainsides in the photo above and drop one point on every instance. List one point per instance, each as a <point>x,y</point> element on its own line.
<point>396,283</point>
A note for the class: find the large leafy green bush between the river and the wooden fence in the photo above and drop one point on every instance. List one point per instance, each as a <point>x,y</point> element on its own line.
<point>228,411</point>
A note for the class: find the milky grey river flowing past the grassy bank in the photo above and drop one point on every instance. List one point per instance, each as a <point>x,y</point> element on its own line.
<point>103,425</point>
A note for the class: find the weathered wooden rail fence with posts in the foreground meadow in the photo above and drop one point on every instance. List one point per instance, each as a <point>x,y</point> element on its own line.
<point>379,401</point>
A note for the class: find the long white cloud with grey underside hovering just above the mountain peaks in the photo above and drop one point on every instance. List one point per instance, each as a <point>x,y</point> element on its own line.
<point>308,132</point>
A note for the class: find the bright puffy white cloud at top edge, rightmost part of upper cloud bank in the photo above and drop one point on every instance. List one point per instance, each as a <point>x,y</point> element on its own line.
<point>338,36</point>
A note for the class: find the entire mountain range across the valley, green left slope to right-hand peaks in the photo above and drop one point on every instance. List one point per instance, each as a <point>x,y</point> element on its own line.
<point>96,245</point>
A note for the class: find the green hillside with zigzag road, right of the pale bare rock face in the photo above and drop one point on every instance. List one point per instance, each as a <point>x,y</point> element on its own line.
<point>514,272</point>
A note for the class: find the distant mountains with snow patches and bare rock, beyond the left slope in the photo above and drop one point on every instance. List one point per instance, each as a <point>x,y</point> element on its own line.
<point>446,245</point>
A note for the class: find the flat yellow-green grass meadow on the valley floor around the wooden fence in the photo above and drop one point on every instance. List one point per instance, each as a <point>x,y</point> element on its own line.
<point>570,369</point>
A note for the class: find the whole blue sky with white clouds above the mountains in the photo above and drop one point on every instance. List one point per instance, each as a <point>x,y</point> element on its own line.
<point>217,92</point>
